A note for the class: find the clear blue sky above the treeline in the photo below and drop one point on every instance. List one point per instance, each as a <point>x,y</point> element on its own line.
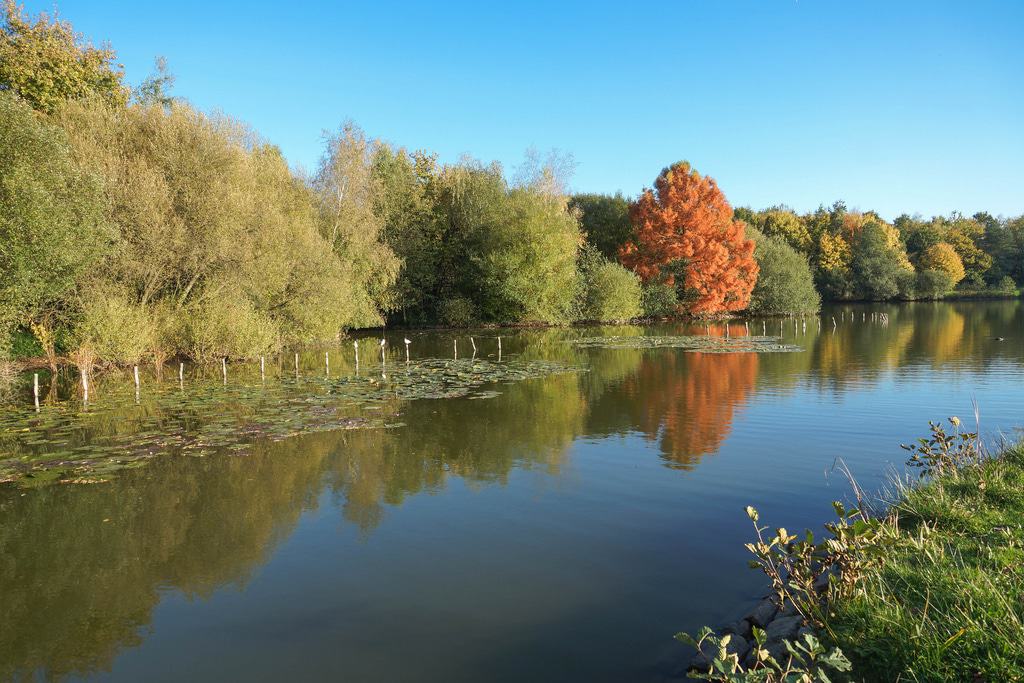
<point>899,107</point>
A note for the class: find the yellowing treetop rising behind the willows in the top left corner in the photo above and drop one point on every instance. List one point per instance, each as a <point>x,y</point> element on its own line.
<point>46,63</point>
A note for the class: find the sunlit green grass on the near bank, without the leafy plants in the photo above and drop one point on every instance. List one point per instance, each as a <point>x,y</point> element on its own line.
<point>949,603</point>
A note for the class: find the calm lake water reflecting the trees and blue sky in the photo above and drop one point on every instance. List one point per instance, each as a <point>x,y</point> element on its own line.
<point>563,531</point>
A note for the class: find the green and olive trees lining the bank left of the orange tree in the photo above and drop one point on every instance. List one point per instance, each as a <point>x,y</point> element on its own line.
<point>134,227</point>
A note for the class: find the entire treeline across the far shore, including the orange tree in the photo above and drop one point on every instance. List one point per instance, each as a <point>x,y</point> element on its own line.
<point>134,227</point>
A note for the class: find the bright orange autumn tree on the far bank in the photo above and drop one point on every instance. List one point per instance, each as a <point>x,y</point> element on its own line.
<point>686,227</point>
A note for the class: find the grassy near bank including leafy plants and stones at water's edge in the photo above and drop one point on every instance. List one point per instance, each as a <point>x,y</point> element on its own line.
<point>930,590</point>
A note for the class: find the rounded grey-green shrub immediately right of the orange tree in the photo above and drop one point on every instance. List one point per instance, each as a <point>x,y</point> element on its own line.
<point>786,284</point>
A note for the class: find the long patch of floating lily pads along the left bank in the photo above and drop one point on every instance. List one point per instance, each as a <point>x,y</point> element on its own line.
<point>72,443</point>
